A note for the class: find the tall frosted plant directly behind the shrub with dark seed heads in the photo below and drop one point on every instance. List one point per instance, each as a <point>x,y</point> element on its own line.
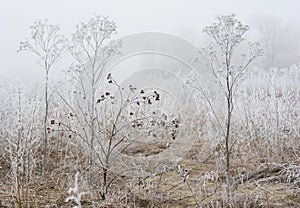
<point>91,48</point>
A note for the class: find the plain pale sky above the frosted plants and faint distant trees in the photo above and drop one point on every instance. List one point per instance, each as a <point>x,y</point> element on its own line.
<point>185,18</point>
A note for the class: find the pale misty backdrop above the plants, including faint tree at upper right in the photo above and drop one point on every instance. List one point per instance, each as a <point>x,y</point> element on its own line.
<point>273,23</point>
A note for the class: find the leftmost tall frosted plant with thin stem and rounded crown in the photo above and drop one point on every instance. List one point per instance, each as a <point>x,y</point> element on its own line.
<point>48,45</point>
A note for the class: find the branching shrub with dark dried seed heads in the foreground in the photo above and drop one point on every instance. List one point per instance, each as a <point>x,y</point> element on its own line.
<point>121,119</point>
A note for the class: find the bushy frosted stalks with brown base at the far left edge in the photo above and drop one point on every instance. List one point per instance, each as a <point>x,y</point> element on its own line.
<point>20,135</point>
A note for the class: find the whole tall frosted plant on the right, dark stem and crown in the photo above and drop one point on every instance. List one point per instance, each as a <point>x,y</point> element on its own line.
<point>226,34</point>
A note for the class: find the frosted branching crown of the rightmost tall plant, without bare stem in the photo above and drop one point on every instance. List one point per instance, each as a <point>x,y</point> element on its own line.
<point>227,35</point>
